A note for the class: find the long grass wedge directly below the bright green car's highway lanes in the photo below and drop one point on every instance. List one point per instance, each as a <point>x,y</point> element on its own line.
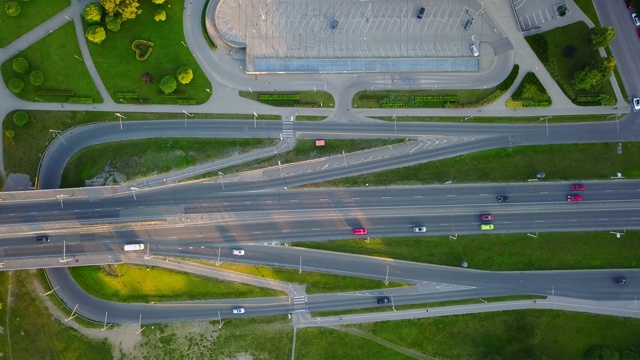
<point>503,252</point>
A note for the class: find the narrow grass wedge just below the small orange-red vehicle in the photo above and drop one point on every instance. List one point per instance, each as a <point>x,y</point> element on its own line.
<point>307,150</point>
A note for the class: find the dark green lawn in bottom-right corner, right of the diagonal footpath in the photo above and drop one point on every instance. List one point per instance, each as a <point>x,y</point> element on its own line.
<point>563,335</point>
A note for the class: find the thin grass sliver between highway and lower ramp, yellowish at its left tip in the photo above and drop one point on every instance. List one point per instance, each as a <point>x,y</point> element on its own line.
<point>316,283</point>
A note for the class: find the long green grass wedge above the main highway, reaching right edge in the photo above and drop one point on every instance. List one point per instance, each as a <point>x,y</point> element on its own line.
<point>559,162</point>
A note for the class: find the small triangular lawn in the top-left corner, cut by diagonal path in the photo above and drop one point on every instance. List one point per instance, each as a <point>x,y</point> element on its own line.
<point>33,14</point>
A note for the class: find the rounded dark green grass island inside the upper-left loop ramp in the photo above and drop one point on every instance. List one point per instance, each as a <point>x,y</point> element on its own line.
<point>140,158</point>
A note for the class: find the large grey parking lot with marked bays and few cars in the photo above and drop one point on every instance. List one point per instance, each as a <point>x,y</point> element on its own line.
<point>272,29</point>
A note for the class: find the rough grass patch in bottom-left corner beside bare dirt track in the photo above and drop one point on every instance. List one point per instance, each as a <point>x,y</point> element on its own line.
<point>33,332</point>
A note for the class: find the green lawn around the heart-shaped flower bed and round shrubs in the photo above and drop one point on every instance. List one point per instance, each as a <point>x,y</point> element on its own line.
<point>121,72</point>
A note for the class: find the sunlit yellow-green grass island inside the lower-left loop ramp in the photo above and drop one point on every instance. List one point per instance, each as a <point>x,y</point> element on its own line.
<point>135,284</point>
